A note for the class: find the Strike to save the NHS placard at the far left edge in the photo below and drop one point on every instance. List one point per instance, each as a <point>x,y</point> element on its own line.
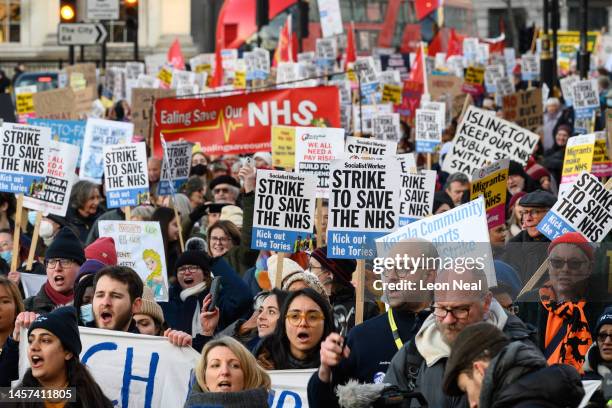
<point>23,157</point>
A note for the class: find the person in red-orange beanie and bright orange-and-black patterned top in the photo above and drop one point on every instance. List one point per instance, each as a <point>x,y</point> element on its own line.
<point>564,310</point>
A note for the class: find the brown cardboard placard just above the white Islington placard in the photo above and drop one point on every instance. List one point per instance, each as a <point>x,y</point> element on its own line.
<point>524,108</point>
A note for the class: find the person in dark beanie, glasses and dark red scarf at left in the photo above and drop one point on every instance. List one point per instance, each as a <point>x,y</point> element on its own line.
<point>63,259</point>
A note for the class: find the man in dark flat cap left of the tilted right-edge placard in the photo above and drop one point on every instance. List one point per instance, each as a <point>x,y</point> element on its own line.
<point>527,250</point>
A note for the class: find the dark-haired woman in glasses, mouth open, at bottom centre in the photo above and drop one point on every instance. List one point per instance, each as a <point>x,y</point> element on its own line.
<point>305,321</point>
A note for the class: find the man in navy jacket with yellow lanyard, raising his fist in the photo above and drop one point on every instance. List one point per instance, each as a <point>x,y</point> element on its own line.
<point>371,345</point>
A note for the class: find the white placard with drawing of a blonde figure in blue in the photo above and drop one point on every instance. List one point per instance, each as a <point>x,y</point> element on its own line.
<point>141,247</point>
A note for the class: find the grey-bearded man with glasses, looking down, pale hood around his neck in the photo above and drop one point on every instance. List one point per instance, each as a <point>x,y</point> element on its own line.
<point>419,366</point>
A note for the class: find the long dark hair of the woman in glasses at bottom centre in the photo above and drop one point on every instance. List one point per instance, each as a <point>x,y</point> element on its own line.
<point>277,343</point>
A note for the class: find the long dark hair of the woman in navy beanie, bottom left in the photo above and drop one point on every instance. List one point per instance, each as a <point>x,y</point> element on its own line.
<point>88,392</point>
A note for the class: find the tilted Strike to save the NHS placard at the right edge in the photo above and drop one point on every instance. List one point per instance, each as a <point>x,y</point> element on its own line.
<point>585,208</point>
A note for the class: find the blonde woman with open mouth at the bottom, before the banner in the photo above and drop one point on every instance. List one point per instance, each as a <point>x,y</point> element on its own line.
<point>227,375</point>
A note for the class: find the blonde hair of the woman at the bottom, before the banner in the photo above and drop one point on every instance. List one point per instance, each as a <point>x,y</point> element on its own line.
<point>254,375</point>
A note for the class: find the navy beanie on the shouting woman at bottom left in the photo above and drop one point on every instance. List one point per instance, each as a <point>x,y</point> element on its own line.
<point>62,322</point>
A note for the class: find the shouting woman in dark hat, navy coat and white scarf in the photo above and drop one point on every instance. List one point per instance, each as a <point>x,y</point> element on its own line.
<point>187,295</point>
